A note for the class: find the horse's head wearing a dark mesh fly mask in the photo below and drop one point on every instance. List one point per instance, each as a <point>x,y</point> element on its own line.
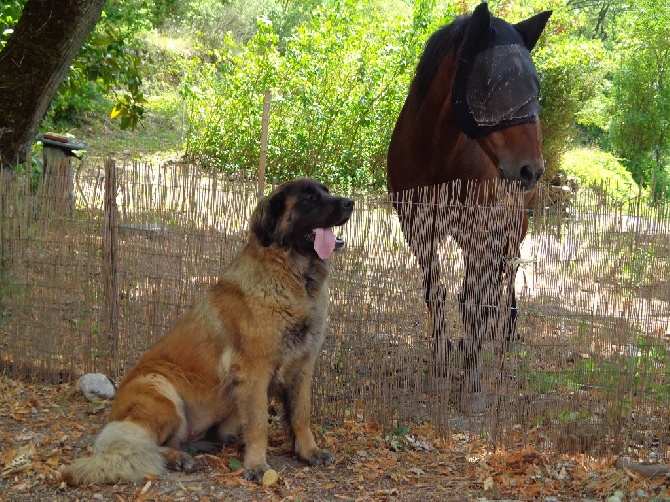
<point>495,93</point>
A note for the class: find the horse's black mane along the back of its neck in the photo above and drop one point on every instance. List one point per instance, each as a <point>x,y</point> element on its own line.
<point>438,46</point>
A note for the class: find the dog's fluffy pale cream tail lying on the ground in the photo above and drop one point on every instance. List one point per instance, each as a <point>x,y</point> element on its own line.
<point>124,451</point>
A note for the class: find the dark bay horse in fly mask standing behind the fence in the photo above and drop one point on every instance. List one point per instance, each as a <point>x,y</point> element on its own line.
<point>470,118</point>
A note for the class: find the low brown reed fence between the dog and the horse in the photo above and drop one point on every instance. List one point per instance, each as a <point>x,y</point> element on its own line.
<point>587,374</point>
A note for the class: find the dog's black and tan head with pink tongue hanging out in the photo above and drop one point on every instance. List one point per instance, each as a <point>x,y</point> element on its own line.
<point>299,215</point>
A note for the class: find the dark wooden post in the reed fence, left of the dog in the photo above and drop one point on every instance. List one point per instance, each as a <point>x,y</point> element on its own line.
<point>110,271</point>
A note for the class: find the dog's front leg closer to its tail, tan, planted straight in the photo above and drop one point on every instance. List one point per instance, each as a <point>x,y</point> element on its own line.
<point>252,403</point>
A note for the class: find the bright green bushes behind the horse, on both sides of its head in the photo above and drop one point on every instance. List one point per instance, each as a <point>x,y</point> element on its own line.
<point>338,85</point>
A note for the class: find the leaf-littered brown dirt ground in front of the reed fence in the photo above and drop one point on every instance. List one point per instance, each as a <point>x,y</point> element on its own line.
<point>44,427</point>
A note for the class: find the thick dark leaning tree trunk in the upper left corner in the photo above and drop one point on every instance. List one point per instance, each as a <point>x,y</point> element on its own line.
<point>33,64</point>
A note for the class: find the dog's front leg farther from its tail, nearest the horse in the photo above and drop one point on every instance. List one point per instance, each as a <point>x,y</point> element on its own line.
<point>298,404</point>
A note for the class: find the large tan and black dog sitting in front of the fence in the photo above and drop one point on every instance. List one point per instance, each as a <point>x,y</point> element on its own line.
<point>255,335</point>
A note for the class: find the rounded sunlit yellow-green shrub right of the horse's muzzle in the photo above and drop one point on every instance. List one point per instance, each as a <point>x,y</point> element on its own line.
<point>595,169</point>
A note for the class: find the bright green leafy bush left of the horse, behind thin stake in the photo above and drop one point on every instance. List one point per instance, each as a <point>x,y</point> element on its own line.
<point>338,86</point>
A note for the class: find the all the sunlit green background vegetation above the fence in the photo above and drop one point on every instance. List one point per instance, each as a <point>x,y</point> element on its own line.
<point>189,76</point>
